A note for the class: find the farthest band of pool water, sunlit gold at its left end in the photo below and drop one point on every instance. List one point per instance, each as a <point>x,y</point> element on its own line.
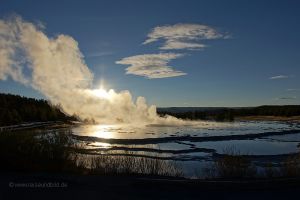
<point>203,128</point>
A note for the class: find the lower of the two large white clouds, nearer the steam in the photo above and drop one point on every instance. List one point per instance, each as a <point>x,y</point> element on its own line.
<point>151,65</point>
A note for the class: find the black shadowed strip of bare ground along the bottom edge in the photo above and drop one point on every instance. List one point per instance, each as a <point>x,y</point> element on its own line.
<point>56,186</point>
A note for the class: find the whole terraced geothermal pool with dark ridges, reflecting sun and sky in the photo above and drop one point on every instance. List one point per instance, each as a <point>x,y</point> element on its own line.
<point>192,146</point>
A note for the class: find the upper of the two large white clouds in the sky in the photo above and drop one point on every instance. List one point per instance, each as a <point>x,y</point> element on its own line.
<point>183,36</point>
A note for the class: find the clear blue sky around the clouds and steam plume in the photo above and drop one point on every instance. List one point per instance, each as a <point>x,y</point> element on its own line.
<point>260,40</point>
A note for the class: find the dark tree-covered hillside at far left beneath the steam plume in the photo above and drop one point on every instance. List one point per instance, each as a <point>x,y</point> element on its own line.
<point>15,109</point>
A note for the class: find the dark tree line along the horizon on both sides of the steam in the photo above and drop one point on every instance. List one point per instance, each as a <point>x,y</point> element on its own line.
<point>15,109</point>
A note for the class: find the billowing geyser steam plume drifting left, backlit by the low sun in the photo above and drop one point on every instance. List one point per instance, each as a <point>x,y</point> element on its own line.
<point>55,67</point>
